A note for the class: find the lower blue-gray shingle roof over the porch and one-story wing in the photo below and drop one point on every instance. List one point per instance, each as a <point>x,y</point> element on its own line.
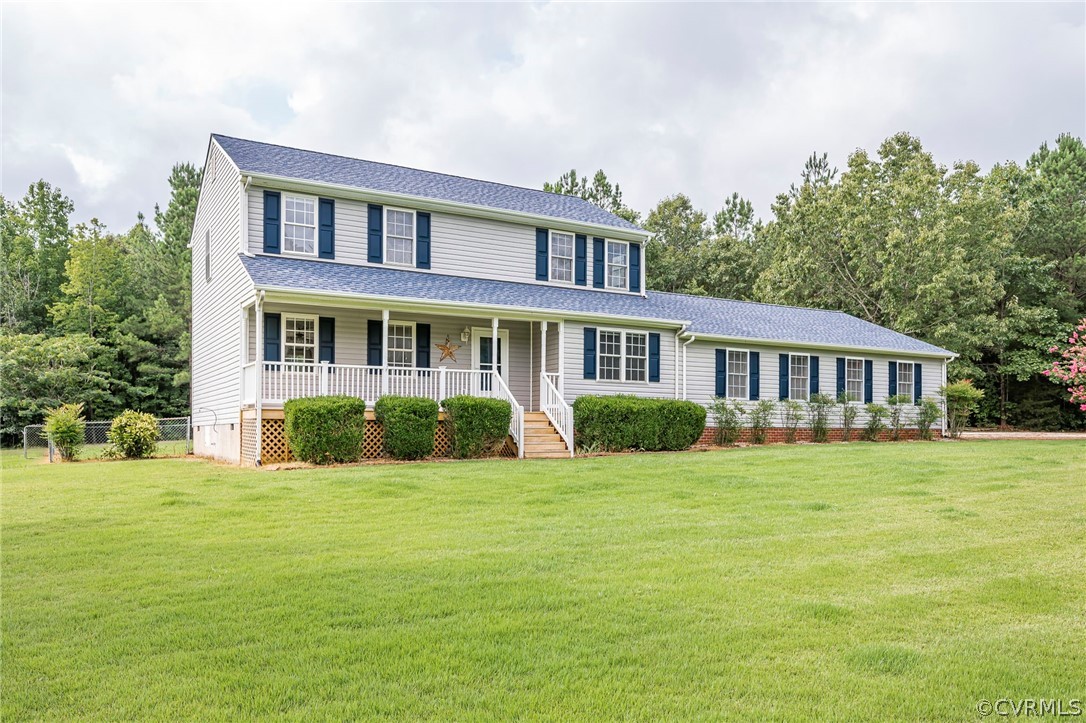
<point>705,315</point>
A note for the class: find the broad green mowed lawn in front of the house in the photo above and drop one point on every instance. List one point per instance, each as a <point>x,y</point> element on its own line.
<point>848,582</point>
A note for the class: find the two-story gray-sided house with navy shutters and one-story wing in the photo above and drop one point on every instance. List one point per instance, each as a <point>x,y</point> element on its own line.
<point>317,274</point>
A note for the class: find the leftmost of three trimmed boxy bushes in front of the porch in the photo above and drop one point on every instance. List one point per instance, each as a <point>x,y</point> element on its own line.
<point>325,430</point>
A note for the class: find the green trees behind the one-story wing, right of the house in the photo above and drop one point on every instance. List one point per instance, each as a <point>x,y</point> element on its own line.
<point>990,265</point>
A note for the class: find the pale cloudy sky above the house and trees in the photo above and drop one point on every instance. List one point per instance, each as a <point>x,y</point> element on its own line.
<point>103,100</point>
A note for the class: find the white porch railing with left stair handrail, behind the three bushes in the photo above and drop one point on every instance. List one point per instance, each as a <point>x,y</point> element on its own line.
<point>280,382</point>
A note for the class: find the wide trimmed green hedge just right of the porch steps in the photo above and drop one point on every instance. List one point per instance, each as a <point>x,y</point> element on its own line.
<point>622,422</point>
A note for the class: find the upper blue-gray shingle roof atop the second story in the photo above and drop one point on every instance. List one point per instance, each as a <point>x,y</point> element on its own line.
<point>257,158</point>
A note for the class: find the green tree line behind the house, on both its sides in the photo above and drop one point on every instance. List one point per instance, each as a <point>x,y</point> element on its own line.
<point>991,265</point>
